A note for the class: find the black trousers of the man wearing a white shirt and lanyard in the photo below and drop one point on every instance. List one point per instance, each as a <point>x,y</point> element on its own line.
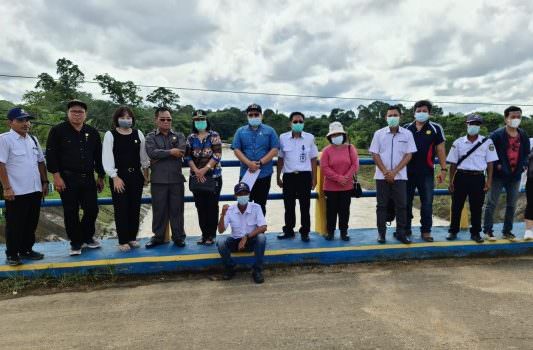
<point>297,186</point>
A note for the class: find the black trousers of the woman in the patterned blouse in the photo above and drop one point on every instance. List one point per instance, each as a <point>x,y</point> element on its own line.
<point>207,208</point>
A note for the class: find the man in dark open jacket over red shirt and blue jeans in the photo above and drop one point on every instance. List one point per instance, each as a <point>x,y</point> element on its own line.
<point>512,145</point>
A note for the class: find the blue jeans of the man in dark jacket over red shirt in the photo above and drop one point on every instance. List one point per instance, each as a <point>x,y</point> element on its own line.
<point>512,188</point>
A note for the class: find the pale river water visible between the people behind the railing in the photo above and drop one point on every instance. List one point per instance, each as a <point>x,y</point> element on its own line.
<point>362,210</point>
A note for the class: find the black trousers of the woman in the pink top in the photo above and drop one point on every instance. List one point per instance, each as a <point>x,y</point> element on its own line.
<point>337,204</point>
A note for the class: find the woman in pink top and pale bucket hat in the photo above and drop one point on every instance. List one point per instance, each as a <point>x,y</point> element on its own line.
<point>338,163</point>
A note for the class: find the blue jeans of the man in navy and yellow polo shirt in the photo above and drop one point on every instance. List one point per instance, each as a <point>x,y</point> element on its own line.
<point>425,183</point>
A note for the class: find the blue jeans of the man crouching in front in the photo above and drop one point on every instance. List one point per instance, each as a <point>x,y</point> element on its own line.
<point>227,245</point>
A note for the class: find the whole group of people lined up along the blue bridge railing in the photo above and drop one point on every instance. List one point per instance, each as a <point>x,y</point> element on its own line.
<point>403,156</point>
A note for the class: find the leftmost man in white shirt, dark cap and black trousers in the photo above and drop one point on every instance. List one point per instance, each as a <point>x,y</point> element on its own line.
<point>24,184</point>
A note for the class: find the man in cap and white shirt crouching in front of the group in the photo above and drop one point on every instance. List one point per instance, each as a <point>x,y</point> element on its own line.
<point>248,227</point>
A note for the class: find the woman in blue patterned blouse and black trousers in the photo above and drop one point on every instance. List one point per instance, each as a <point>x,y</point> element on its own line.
<point>203,154</point>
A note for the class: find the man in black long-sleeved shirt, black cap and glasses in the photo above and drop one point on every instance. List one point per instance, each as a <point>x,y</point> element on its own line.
<point>73,155</point>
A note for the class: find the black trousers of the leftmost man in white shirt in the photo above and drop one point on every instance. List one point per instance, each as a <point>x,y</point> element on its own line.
<point>22,216</point>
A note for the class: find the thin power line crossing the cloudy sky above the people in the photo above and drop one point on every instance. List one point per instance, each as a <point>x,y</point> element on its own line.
<point>279,94</point>
